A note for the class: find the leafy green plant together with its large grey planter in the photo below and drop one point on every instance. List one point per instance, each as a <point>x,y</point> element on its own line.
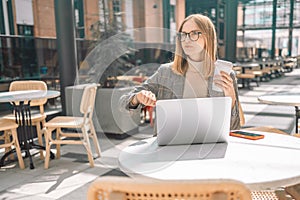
<point>110,57</point>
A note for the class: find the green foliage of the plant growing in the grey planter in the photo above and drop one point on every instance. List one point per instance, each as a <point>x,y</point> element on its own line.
<point>111,53</point>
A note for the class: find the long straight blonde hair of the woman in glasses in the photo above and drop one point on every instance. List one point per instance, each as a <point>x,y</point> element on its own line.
<point>207,28</point>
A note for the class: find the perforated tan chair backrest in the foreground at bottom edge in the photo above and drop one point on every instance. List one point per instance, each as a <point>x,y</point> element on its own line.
<point>145,189</point>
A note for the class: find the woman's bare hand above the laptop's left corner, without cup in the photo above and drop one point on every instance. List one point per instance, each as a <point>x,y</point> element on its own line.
<point>144,97</point>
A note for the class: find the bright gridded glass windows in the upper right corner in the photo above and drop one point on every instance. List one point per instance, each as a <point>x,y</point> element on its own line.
<point>255,30</point>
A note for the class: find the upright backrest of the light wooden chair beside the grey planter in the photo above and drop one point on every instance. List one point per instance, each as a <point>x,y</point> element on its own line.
<point>88,99</point>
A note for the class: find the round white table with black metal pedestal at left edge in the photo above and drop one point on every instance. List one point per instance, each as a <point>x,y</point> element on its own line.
<point>23,117</point>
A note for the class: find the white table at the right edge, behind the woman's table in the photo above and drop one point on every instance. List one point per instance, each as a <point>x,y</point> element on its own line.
<point>285,99</point>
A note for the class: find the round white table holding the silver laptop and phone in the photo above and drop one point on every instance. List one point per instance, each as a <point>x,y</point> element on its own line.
<point>269,162</point>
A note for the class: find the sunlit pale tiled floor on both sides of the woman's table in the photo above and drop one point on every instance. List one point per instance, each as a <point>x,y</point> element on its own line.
<point>70,176</point>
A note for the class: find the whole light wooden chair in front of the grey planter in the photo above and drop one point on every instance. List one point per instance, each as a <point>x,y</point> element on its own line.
<point>85,124</point>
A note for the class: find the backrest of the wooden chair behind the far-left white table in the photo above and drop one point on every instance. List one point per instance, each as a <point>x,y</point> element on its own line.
<point>30,85</point>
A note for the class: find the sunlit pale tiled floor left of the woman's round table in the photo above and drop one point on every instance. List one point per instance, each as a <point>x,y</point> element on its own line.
<point>68,177</point>
